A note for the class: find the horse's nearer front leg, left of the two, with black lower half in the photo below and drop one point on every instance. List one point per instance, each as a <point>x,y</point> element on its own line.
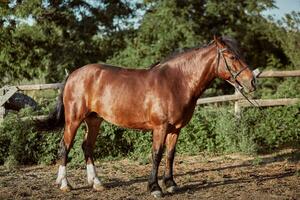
<point>158,137</point>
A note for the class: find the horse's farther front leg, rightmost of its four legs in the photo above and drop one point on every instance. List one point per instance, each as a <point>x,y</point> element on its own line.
<point>168,180</point>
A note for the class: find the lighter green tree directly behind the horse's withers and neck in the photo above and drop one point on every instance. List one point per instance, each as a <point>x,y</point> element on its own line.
<point>163,29</point>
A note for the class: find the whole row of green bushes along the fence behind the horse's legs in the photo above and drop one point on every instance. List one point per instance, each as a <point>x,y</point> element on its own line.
<point>212,129</point>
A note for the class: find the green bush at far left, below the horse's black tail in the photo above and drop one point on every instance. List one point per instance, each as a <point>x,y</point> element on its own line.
<point>20,143</point>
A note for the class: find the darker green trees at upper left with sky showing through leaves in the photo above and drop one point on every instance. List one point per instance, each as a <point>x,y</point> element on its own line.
<point>44,37</point>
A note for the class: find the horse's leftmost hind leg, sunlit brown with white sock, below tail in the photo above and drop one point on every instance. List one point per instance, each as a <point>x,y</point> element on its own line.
<point>66,145</point>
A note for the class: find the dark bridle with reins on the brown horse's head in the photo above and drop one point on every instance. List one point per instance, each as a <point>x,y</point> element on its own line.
<point>233,74</point>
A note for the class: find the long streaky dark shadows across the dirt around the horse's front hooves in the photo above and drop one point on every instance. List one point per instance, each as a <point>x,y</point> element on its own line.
<point>293,157</point>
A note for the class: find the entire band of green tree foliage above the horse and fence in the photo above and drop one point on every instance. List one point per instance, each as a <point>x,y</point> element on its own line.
<point>42,38</point>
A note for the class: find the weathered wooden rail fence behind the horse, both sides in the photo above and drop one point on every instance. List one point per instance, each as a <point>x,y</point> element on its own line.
<point>7,91</point>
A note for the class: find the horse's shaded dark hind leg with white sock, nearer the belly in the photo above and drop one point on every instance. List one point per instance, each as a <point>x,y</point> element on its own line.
<point>93,124</point>
